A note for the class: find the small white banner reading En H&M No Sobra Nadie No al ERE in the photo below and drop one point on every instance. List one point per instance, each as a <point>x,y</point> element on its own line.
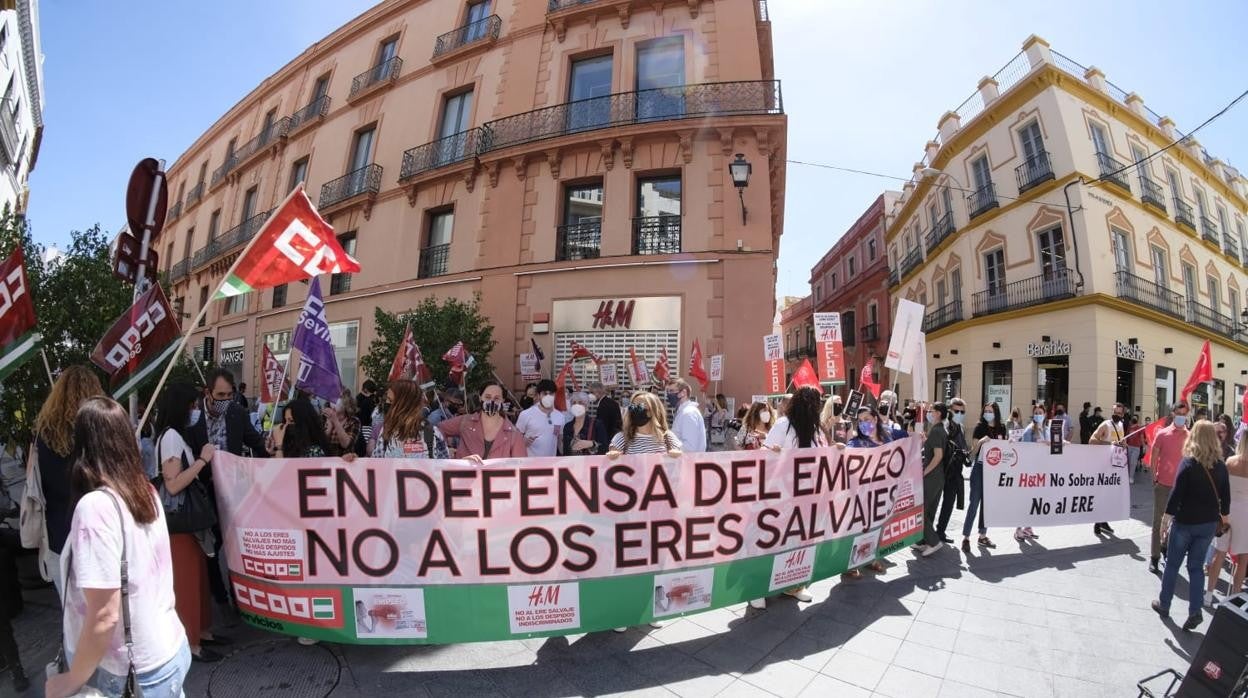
<point>1025,485</point>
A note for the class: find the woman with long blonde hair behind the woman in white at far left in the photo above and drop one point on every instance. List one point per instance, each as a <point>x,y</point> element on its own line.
<point>54,445</point>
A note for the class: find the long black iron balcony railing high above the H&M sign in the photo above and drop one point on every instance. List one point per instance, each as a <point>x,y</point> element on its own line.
<point>686,102</point>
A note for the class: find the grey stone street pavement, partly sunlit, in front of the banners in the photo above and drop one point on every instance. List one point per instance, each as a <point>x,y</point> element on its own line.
<point>1064,616</point>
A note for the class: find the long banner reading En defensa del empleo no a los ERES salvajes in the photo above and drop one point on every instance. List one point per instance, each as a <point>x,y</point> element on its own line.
<point>394,551</point>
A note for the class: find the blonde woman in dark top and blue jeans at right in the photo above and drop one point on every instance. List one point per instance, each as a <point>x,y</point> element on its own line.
<point>1199,503</point>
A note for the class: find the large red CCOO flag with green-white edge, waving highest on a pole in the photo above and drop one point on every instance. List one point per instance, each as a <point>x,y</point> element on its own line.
<point>294,244</point>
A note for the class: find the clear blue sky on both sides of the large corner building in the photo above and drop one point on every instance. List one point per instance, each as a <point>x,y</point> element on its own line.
<point>864,86</point>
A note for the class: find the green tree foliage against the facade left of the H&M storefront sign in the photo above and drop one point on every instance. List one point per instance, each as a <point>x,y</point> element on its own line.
<point>436,328</point>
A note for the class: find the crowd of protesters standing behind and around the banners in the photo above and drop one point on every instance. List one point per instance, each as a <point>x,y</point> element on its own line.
<point>103,499</point>
